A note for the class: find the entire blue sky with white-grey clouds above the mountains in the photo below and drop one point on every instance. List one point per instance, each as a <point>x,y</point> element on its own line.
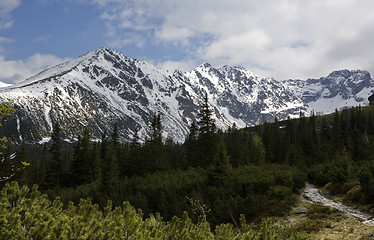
<point>275,38</point>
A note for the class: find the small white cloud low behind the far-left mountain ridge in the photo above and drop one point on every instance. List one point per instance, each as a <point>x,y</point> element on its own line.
<point>18,70</point>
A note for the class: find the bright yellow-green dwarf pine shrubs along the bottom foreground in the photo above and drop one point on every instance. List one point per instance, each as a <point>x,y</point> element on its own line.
<point>28,214</point>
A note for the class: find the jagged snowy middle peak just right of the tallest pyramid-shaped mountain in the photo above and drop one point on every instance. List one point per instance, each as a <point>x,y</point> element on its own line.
<point>238,94</point>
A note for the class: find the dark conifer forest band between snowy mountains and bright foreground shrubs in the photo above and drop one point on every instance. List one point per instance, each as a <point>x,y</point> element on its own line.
<point>213,175</point>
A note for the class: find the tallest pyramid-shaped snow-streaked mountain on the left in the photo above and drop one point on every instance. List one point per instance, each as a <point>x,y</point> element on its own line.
<point>98,90</point>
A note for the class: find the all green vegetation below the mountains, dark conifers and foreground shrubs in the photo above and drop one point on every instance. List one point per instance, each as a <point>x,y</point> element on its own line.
<point>207,185</point>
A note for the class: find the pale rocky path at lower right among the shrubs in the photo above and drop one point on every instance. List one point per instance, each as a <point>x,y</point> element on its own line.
<point>312,194</point>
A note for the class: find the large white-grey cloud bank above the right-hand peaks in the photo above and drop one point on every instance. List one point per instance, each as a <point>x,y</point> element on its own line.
<point>280,39</point>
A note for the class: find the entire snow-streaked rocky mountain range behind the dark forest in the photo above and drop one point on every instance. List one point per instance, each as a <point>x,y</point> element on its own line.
<point>103,88</point>
